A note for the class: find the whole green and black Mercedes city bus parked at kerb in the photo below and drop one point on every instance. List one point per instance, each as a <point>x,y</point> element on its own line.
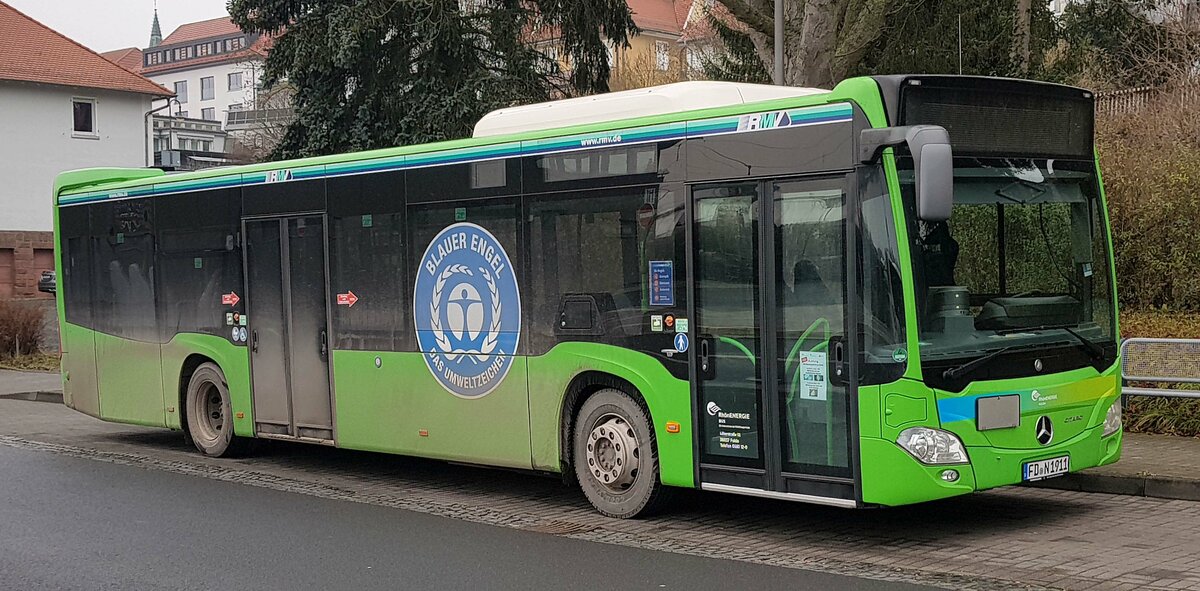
<point>896,291</point>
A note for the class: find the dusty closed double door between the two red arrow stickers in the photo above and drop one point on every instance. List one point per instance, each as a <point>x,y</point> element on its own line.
<point>289,321</point>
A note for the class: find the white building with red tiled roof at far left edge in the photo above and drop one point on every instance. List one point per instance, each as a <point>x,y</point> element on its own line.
<point>62,108</point>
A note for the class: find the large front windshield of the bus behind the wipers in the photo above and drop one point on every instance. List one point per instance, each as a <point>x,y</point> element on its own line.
<point>1023,262</point>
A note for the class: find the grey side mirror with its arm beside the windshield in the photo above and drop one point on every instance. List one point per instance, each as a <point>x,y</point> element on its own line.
<point>933,164</point>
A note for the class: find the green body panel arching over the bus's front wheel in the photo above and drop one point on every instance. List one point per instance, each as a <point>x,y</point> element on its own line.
<point>668,398</point>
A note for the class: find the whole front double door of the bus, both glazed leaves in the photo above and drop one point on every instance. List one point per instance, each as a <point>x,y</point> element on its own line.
<point>772,386</point>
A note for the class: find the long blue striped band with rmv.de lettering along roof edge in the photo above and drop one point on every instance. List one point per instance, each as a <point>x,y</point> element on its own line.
<point>662,133</point>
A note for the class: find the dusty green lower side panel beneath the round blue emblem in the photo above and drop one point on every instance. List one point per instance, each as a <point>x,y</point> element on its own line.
<point>389,408</point>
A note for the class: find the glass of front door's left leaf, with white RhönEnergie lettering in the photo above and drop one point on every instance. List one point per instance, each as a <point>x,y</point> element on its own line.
<point>729,344</point>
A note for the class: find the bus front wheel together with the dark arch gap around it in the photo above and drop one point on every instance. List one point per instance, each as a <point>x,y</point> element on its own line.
<point>610,446</point>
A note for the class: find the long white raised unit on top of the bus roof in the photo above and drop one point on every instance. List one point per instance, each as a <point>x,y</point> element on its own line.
<point>631,104</point>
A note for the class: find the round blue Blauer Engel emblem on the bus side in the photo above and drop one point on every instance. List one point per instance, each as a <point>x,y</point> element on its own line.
<point>467,311</point>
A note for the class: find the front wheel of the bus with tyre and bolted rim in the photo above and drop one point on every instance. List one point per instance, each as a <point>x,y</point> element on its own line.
<point>616,458</point>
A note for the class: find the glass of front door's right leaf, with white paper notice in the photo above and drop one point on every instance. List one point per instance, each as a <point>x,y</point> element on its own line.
<point>811,252</point>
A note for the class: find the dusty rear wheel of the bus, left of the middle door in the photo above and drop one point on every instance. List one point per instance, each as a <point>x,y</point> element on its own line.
<point>211,414</point>
